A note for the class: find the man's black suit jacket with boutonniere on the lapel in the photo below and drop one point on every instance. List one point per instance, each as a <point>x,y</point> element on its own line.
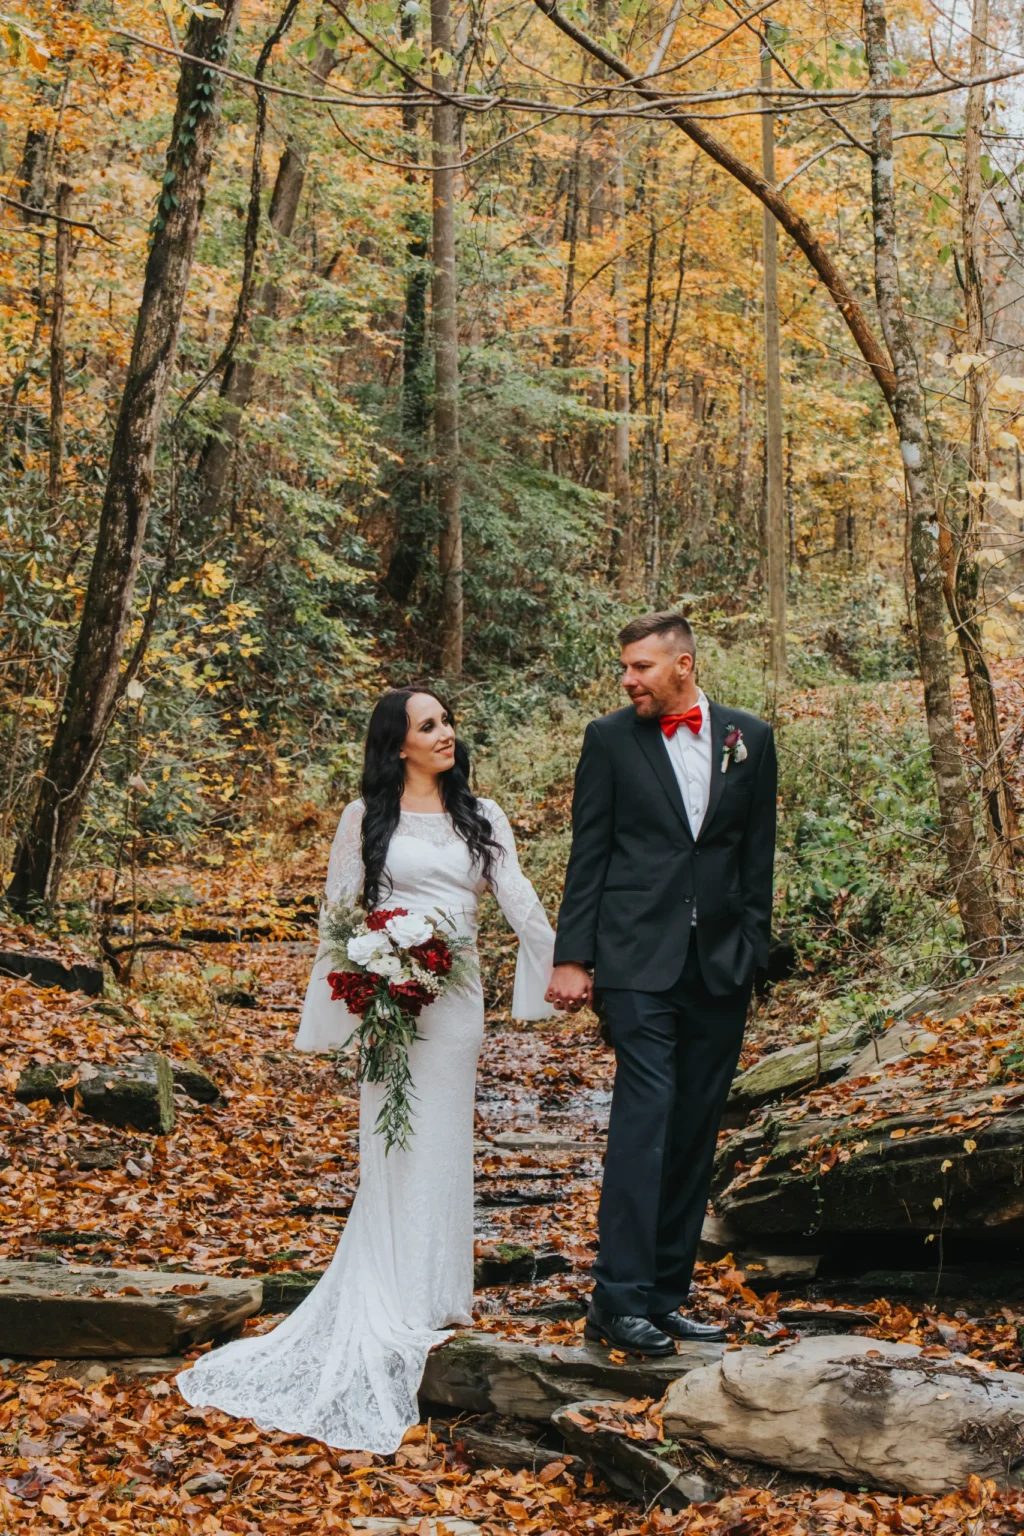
<point>636,869</point>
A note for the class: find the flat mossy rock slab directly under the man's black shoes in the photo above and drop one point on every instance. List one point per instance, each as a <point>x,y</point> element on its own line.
<point>486,1374</point>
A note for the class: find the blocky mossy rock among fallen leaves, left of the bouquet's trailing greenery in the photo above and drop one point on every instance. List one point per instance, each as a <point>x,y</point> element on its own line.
<point>137,1093</point>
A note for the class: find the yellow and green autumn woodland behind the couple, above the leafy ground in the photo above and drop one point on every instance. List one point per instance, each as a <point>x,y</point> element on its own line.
<point>612,440</point>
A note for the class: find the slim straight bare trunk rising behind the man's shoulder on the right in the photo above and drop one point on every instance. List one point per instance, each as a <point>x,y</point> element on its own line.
<point>775,511</point>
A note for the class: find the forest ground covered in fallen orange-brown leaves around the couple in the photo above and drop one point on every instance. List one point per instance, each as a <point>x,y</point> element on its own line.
<point>262,1182</point>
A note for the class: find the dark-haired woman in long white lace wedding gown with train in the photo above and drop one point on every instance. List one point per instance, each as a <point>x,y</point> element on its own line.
<point>346,1366</point>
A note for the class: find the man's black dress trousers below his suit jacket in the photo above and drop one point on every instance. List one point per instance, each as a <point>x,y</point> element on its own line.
<point>676,1054</point>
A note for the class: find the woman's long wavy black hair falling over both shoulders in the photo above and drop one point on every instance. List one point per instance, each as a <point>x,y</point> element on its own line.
<point>383,786</point>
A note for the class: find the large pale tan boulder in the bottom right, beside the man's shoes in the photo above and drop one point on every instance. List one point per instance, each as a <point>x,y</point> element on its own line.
<point>857,1409</point>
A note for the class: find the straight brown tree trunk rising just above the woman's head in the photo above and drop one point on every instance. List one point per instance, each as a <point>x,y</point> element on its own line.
<point>446,331</point>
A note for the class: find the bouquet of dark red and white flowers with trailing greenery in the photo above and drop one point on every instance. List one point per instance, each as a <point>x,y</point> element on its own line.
<point>395,964</point>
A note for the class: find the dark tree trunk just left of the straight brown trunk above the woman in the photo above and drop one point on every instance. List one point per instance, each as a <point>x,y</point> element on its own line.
<point>415,414</point>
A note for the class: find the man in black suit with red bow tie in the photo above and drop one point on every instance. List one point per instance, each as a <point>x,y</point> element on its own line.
<point>667,915</point>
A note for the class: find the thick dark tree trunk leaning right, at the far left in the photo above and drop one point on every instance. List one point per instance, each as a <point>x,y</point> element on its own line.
<point>94,680</point>
